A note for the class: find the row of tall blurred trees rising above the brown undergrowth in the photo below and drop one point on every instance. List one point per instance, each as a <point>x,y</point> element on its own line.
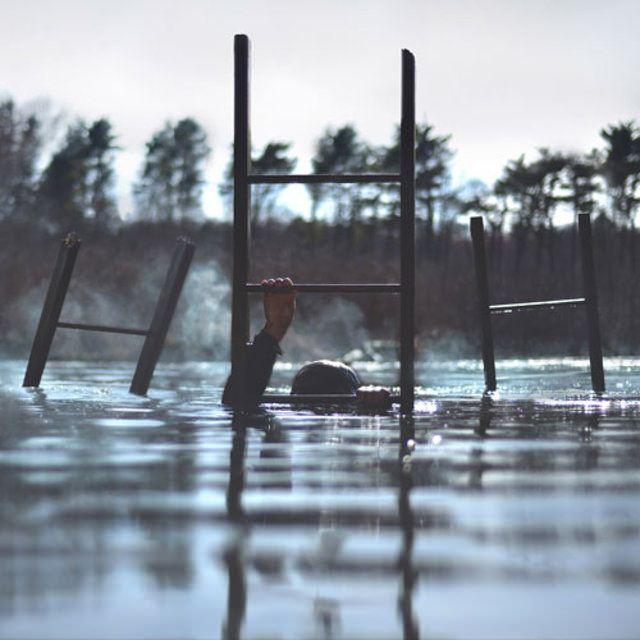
<point>74,186</point>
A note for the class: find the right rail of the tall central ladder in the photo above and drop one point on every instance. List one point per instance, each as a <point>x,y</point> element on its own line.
<point>407,232</point>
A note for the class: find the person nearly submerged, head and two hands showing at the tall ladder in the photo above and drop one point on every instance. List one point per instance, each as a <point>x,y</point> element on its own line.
<point>324,377</point>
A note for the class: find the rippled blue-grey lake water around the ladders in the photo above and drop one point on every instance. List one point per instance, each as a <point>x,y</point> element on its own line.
<point>165,517</point>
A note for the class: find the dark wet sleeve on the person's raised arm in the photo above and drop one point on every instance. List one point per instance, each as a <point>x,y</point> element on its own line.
<point>246,390</point>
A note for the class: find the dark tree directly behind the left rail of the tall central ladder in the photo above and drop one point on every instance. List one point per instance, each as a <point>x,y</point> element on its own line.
<point>274,158</point>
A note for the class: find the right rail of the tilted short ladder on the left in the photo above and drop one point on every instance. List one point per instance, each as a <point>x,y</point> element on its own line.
<point>162,316</point>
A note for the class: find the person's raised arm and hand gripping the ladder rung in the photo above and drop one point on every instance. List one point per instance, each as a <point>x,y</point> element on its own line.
<point>244,389</point>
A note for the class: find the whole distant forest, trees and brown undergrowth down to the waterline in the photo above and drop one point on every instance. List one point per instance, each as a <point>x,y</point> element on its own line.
<point>351,233</point>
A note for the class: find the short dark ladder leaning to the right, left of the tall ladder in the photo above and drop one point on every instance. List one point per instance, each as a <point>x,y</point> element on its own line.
<point>154,336</point>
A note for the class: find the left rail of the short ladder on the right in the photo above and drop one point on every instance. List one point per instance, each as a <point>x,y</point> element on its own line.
<point>482,286</point>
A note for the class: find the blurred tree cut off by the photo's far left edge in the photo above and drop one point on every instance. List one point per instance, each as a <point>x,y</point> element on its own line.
<point>20,148</point>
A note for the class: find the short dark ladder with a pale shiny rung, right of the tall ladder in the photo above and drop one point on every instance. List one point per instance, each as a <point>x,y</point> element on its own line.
<point>590,301</point>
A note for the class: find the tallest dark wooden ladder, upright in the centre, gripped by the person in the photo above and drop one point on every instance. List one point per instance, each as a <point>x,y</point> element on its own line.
<point>243,179</point>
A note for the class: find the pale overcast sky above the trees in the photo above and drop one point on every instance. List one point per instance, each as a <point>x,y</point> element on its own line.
<point>503,77</point>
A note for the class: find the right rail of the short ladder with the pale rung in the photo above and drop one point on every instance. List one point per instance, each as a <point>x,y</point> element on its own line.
<point>591,300</point>
